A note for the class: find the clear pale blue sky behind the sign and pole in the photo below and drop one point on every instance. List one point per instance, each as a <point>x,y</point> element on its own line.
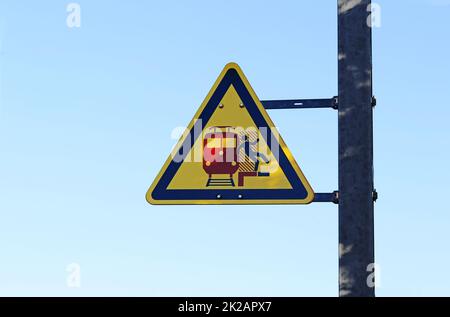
<point>86,116</point>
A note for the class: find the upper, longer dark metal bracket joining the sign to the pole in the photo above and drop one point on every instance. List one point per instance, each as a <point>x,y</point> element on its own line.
<point>301,103</point>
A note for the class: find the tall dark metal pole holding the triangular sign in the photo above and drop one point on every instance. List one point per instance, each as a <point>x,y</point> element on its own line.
<point>356,225</point>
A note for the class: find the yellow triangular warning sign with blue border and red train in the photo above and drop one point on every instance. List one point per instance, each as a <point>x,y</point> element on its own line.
<point>231,153</point>
